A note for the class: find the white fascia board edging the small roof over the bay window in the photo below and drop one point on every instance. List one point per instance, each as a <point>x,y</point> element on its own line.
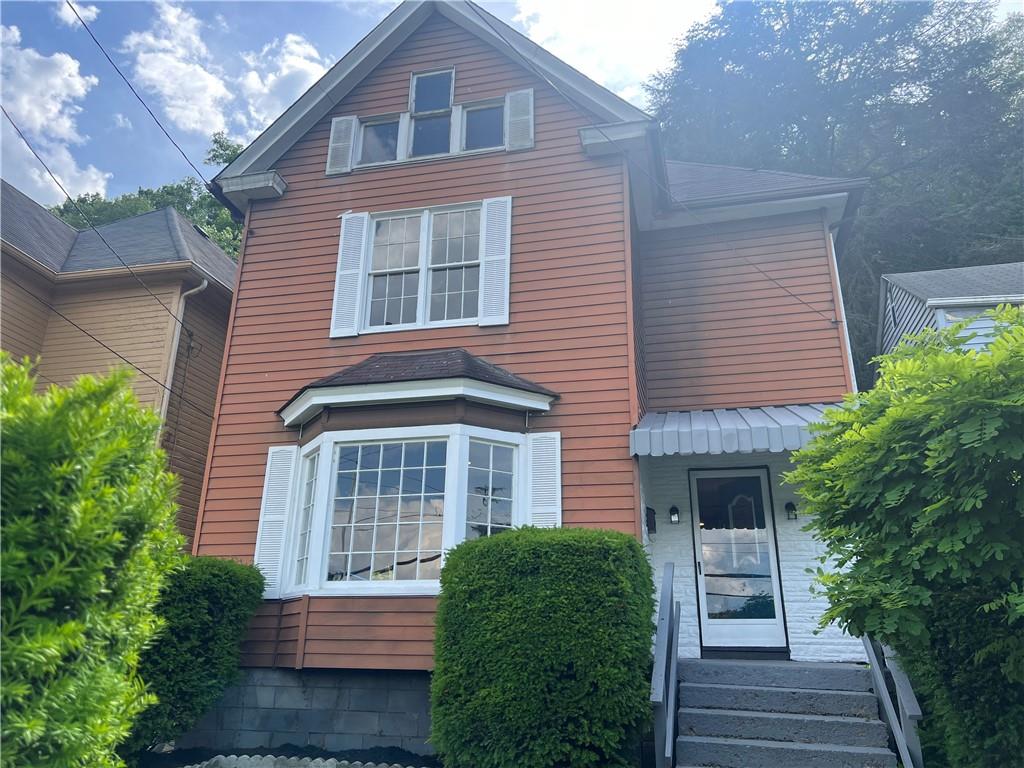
<point>313,401</point>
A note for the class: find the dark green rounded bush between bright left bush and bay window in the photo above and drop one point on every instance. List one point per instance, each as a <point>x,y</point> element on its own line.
<point>206,609</point>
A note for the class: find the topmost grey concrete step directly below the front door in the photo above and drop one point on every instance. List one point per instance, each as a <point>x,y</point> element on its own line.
<point>820,675</point>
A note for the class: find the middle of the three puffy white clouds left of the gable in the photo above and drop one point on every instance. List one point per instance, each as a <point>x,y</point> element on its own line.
<point>173,62</point>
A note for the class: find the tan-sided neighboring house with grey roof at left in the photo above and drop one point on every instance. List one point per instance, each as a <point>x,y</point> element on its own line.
<point>56,278</point>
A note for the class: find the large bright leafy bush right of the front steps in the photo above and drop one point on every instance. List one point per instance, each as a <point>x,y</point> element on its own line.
<point>916,488</point>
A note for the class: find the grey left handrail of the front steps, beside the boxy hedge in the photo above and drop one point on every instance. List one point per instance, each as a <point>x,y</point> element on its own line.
<point>664,678</point>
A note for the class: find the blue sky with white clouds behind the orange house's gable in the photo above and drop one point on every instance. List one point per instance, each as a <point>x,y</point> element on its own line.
<point>204,67</point>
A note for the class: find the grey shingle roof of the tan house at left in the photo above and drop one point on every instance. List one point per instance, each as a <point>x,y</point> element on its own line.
<point>155,238</point>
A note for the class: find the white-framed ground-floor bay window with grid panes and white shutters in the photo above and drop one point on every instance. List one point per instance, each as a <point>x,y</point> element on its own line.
<point>374,511</point>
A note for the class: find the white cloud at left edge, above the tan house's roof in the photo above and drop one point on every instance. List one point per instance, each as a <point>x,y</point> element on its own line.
<point>42,95</point>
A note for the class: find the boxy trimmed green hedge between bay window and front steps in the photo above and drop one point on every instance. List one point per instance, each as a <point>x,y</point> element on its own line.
<point>543,650</point>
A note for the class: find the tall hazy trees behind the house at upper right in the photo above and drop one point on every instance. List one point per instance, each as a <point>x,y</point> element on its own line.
<point>924,99</point>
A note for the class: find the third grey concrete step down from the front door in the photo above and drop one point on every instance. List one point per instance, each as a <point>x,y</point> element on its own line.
<point>774,727</point>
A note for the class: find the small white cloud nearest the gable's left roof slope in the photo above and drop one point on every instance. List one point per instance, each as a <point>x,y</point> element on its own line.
<point>279,74</point>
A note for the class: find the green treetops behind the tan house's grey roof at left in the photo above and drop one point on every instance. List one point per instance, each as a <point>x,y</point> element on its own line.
<point>189,197</point>
